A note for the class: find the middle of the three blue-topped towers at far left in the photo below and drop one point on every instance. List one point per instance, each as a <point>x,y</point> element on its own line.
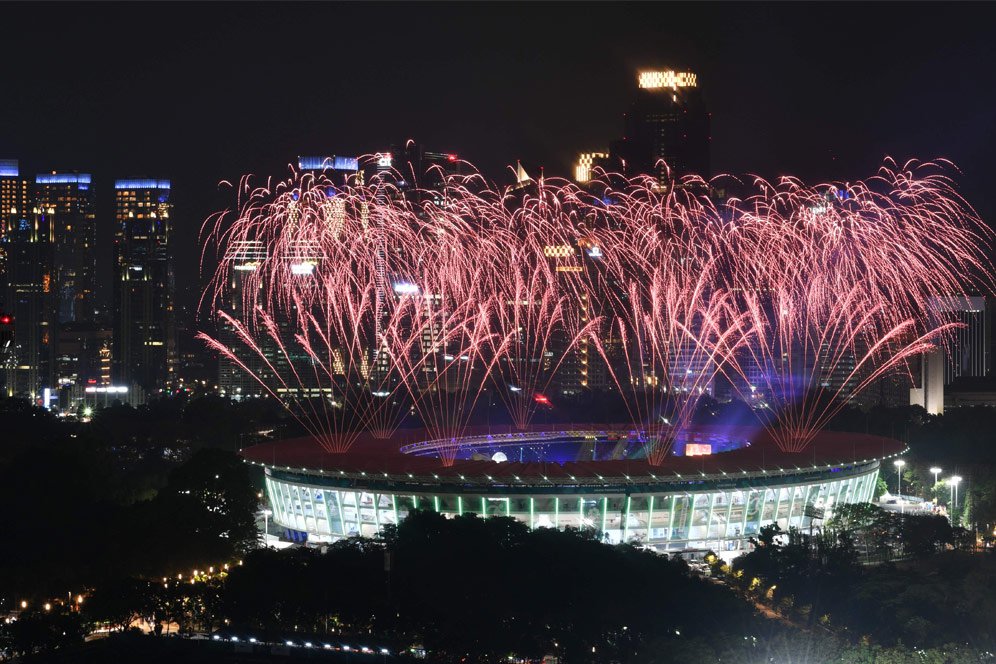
<point>70,198</point>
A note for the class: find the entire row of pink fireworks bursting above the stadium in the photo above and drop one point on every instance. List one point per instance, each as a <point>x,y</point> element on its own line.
<point>358,303</point>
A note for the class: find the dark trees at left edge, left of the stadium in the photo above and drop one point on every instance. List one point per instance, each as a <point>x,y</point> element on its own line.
<point>66,529</point>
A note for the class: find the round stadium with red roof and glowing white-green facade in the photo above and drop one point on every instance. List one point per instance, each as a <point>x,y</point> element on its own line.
<point>718,486</point>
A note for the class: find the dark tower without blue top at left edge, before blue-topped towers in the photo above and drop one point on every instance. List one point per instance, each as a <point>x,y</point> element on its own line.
<point>29,301</point>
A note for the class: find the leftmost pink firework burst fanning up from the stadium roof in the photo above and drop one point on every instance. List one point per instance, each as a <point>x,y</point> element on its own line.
<point>303,307</point>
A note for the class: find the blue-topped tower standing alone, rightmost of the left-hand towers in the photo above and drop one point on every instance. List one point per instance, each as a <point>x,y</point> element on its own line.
<point>144,329</point>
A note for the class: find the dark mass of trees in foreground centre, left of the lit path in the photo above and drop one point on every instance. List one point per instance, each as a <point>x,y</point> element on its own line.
<point>463,588</point>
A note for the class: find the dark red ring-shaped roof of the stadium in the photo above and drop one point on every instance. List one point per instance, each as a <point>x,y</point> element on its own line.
<point>379,457</point>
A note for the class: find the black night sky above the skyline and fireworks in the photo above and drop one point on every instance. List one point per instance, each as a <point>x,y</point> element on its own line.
<point>201,93</point>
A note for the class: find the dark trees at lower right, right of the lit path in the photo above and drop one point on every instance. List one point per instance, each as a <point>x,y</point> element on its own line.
<point>940,593</point>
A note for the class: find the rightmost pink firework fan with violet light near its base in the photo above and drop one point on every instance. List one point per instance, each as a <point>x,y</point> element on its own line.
<point>836,283</point>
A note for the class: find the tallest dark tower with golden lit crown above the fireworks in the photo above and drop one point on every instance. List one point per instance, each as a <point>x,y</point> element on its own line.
<point>666,131</point>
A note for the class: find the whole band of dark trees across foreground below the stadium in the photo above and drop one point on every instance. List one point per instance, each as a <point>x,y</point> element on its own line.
<point>472,590</point>
